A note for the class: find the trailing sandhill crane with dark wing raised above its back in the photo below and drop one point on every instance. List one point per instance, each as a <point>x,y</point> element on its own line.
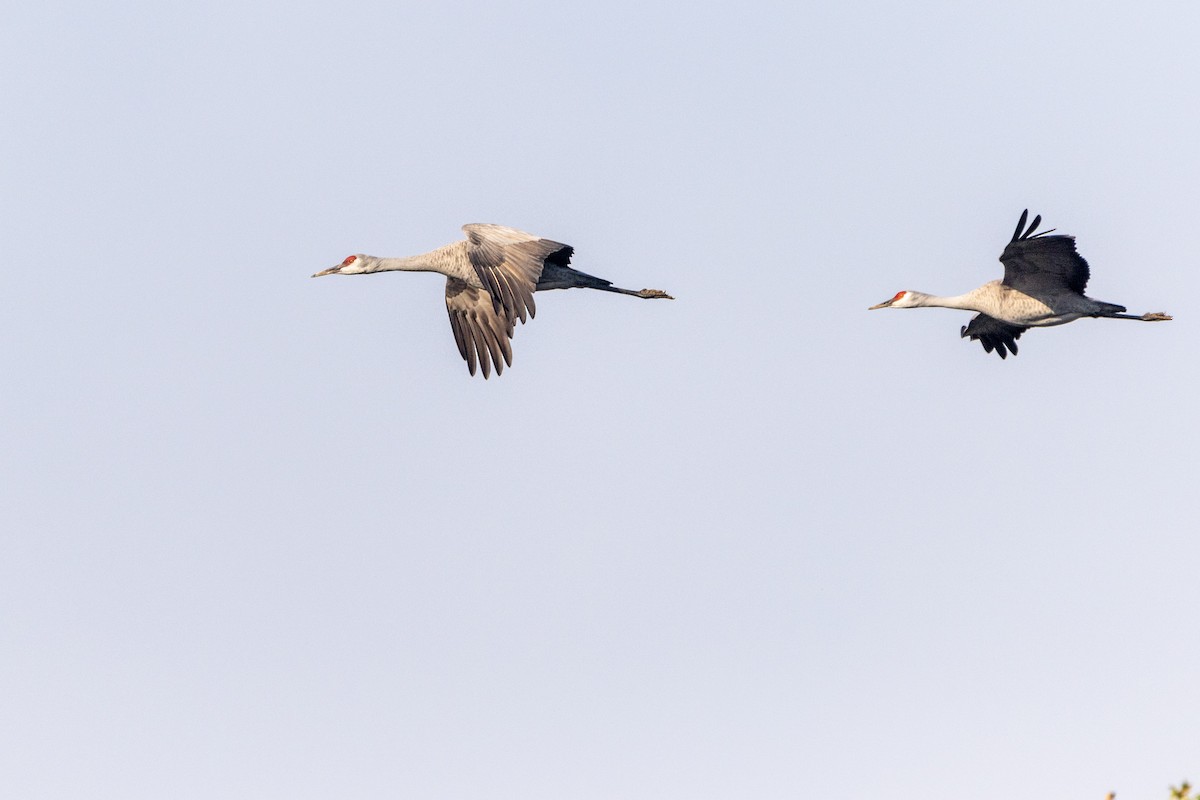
<point>1043,285</point>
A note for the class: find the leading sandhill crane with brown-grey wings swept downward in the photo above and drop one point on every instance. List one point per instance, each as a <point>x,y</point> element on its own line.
<point>490,284</point>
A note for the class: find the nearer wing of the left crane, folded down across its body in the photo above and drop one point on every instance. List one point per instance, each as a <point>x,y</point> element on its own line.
<point>509,263</point>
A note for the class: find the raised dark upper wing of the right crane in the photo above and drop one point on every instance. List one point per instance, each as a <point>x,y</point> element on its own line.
<point>1037,263</point>
